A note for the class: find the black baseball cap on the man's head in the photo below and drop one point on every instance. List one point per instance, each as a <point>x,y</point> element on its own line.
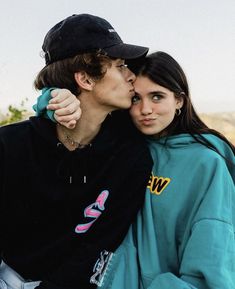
<point>82,33</point>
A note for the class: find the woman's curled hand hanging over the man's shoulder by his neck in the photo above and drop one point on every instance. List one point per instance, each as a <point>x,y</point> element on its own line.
<point>66,106</point>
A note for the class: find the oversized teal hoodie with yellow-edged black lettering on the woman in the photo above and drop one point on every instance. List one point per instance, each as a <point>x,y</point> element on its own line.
<point>183,237</point>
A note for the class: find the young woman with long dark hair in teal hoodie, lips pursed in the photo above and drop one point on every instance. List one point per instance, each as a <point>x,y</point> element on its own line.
<point>183,238</point>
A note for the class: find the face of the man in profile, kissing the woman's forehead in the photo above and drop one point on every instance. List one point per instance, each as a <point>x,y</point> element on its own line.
<point>115,90</point>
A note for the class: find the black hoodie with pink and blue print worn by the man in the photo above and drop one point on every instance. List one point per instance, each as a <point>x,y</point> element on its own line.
<point>64,211</point>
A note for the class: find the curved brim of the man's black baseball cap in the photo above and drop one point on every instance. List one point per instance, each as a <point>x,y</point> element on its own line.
<point>126,51</point>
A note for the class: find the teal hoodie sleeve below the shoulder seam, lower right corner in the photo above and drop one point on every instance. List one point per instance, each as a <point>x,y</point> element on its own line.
<point>208,260</point>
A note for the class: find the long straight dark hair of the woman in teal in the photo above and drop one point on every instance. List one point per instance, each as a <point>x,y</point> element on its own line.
<point>164,70</point>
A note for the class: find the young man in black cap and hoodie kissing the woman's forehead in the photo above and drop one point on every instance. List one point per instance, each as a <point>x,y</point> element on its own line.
<point>69,196</point>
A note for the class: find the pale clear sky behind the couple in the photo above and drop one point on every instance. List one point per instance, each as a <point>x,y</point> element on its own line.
<point>199,34</point>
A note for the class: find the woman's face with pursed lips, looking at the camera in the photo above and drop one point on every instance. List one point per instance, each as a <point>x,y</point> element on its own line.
<point>153,106</point>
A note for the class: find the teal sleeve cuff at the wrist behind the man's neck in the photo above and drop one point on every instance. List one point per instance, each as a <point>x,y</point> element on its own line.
<point>41,106</point>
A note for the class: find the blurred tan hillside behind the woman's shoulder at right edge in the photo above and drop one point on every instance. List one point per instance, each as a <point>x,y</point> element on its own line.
<point>224,122</point>
